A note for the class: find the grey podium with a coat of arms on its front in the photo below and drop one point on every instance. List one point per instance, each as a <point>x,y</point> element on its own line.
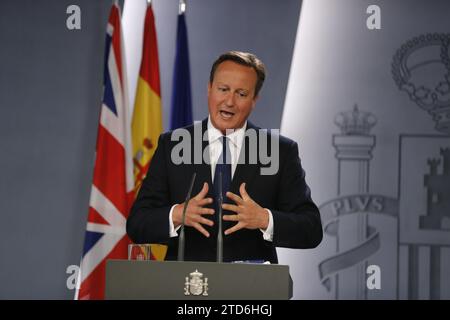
<point>173,280</point>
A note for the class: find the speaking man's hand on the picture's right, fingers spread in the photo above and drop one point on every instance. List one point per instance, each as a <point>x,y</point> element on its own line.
<point>249,214</point>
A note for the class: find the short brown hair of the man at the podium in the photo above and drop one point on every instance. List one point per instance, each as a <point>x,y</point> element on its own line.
<point>245,59</point>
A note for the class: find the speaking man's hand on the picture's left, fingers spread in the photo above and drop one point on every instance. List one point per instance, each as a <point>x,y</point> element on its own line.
<point>195,211</point>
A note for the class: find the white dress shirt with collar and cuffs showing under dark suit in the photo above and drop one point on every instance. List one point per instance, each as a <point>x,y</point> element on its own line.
<point>235,140</point>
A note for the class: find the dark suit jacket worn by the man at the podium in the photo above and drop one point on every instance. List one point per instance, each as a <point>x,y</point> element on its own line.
<point>296,218</point>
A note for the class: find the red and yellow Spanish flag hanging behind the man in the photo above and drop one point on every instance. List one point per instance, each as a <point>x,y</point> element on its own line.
<point>147,119</point>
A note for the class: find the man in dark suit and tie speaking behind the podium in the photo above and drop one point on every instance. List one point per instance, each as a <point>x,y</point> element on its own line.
<point>268,203</point>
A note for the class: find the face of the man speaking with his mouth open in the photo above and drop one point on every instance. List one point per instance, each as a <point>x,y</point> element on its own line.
<point>231,95</point>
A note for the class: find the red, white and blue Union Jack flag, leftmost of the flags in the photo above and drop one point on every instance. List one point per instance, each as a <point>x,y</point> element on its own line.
<point>112,186</point>
